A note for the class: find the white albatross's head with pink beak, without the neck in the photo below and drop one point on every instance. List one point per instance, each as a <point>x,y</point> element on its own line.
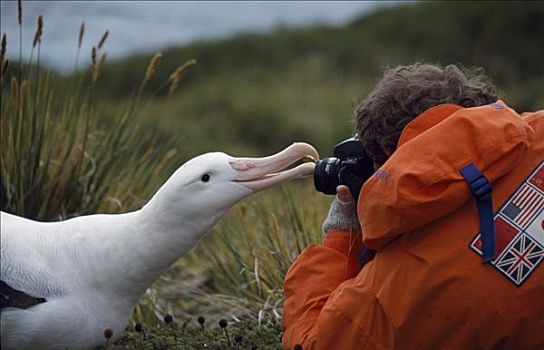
<point>205,187</point>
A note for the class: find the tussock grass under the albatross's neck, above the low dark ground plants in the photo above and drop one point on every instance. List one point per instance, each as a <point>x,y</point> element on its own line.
<point>237,271</point>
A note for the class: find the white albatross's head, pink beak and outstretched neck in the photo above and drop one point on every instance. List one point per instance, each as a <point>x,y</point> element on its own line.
<point>192,200</point>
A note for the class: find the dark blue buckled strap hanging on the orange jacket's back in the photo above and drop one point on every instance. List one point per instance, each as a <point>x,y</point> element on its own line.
<point>481,189</point>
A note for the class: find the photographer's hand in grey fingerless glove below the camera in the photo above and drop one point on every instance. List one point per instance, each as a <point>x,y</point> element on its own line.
<point>343,212</point>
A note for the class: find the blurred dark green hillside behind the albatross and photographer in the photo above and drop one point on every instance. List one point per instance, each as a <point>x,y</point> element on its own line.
<point>256,93</point>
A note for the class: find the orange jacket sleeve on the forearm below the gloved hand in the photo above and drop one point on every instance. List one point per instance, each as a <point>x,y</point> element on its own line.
<point>314,275</point>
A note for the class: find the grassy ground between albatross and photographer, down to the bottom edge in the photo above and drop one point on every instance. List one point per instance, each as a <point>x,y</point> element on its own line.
<point>236,274</point>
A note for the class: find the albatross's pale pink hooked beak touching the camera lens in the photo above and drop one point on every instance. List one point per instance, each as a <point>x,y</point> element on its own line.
<point>261,173</point>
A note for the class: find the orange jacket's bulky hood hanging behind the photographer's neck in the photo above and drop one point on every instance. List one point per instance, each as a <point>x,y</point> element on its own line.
<point>421,182</point>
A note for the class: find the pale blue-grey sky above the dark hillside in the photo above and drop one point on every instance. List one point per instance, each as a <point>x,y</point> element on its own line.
<point>137,26</point>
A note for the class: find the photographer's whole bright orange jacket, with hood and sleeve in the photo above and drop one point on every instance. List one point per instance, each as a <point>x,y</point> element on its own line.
<point>427,287</point>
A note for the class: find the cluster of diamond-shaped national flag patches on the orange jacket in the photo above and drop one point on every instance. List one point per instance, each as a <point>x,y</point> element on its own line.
<point>519,230</point>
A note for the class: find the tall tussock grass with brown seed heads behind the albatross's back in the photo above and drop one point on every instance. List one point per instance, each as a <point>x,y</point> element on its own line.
<point>59,158</point>
